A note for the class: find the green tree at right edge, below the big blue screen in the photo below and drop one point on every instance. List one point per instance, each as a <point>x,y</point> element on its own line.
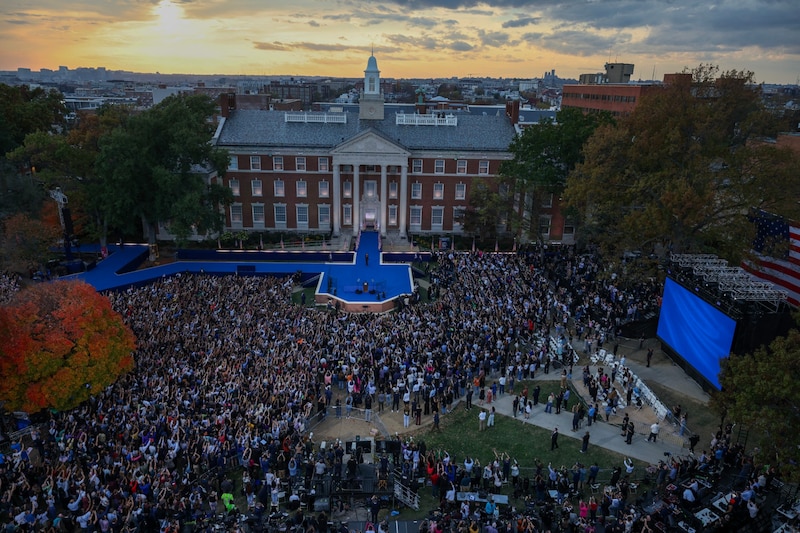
<point>759,391</point>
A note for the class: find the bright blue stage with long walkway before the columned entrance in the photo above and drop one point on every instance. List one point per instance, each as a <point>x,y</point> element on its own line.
<point>361,278</point>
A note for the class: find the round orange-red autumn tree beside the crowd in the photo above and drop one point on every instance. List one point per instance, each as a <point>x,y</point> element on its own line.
<point>62,343</point>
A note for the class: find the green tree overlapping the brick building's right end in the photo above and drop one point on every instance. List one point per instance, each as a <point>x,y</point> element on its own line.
<point>544,155</point>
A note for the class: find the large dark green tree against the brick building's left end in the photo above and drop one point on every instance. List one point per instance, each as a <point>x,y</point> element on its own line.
<point>154,168</point>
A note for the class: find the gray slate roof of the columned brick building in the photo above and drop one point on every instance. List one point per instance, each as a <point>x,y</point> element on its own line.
<point>268,129</point>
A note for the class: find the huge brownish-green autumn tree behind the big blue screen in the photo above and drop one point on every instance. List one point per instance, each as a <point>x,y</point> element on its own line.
<point>683,169</point>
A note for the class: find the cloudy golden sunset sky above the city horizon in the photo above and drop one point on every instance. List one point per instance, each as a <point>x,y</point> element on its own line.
<point>412,39</point>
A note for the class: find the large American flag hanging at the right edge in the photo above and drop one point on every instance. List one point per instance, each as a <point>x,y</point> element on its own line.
<point>777,249</point>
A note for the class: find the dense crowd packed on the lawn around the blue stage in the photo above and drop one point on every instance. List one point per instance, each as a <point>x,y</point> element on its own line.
<point>229,373</point>
